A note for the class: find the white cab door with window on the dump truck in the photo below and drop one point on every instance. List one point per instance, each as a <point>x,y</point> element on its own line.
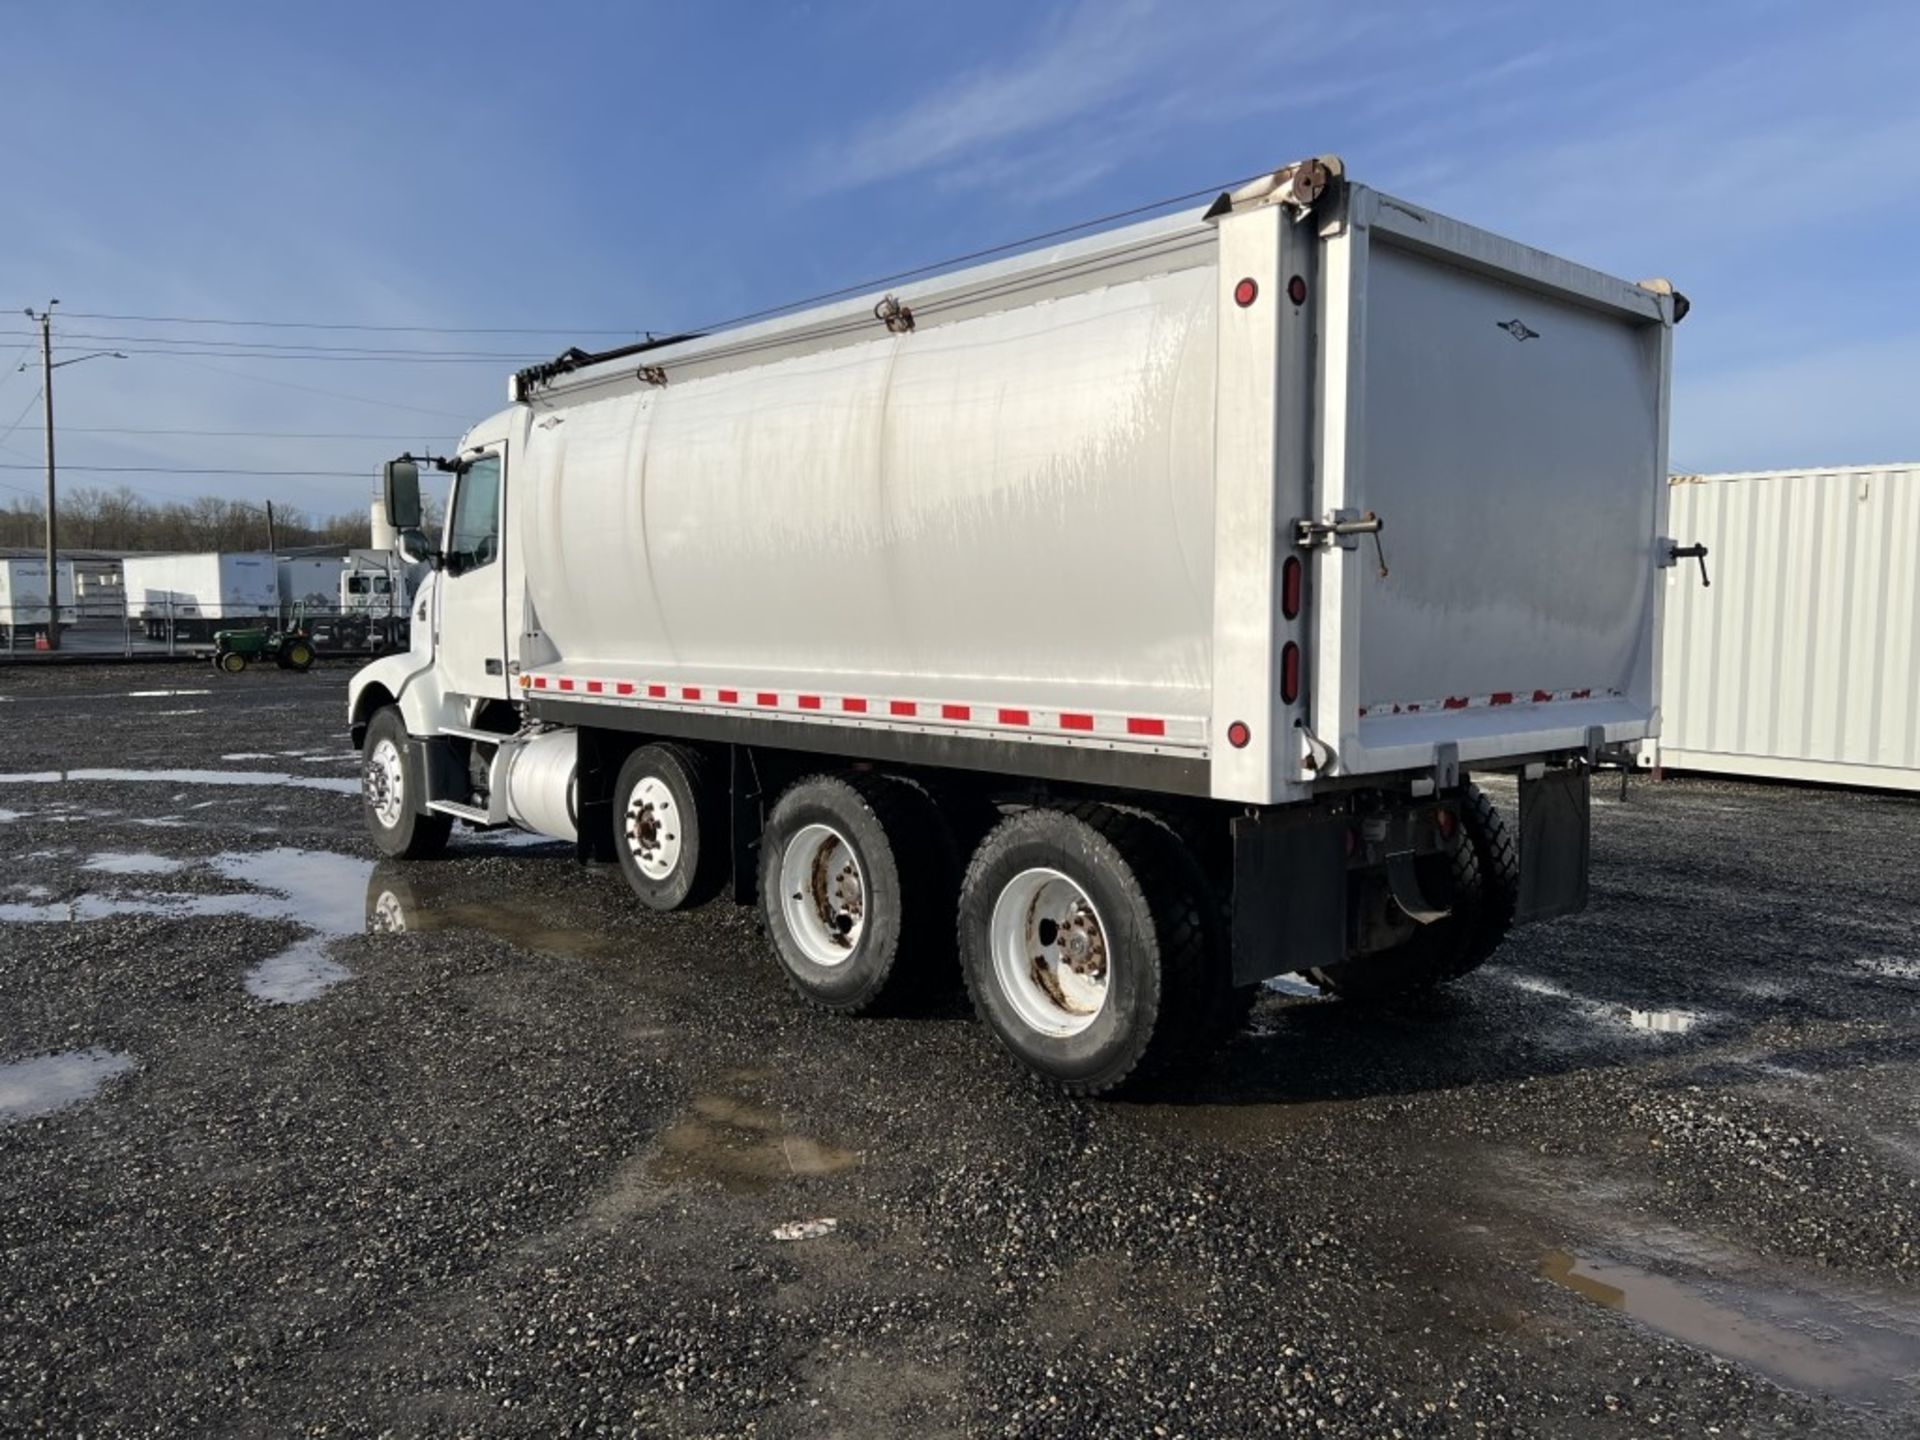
<point>471,625</point>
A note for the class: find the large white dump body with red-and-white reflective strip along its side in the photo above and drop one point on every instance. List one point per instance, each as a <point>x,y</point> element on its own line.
<point>1115,496</point>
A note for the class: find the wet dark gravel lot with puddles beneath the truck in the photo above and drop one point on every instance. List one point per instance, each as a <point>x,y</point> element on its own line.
<point>293,1143</point>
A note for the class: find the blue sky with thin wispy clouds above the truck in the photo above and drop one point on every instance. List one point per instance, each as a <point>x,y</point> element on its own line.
<point>661,166</point>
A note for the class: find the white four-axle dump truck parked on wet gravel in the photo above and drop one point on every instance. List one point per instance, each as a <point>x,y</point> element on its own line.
<point>1124,619</point>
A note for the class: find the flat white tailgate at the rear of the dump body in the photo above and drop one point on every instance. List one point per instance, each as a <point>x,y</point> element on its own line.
<point>1504,418</point>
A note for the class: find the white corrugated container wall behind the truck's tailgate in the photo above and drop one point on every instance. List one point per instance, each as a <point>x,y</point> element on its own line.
<point>1804,658</point>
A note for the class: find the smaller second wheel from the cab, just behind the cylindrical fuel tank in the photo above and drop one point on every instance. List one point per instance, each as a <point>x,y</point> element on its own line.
<point>667,828</point>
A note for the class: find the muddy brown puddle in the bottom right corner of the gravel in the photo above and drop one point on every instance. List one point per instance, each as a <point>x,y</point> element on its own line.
<point>1863,1351</point>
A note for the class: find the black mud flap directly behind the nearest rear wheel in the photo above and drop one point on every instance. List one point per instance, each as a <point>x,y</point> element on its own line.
<point>1289,896</point>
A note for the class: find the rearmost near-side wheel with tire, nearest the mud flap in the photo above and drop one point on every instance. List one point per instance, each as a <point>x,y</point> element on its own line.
<point>1086,946</point>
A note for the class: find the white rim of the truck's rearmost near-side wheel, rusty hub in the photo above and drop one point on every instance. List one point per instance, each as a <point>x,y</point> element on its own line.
<point>1051,953</point>
